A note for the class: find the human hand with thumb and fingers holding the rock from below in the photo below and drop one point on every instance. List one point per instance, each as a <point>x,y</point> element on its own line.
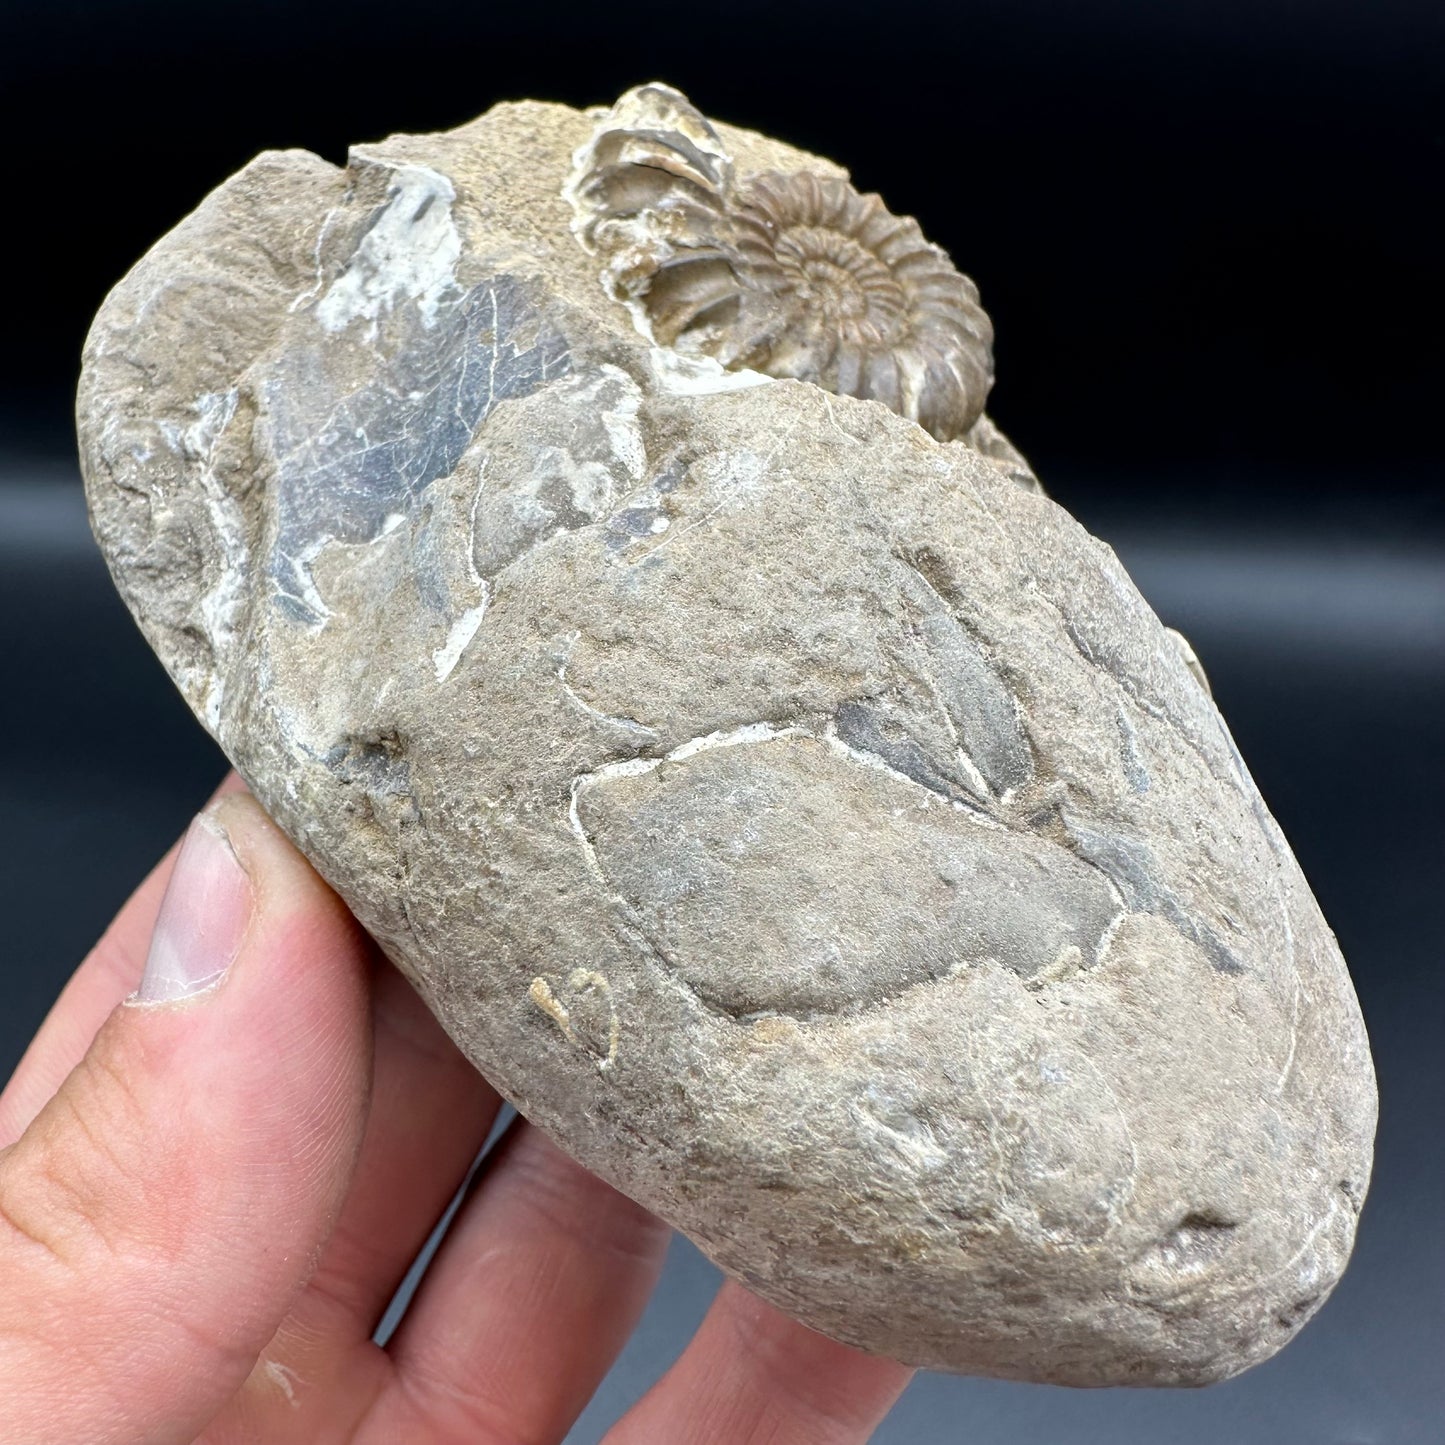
<point>222,1154</point>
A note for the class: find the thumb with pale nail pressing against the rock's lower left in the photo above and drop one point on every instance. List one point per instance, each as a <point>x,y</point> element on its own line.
<point>161,1213</point>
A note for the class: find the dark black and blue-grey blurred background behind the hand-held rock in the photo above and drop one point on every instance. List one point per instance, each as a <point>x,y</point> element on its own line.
<point>1209,239</point>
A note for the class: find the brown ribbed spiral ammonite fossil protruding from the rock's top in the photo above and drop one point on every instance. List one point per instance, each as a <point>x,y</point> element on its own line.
<point>791,275</point>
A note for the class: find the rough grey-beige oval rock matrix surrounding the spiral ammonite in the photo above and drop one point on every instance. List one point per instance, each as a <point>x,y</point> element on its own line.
<point>806,824</point>
